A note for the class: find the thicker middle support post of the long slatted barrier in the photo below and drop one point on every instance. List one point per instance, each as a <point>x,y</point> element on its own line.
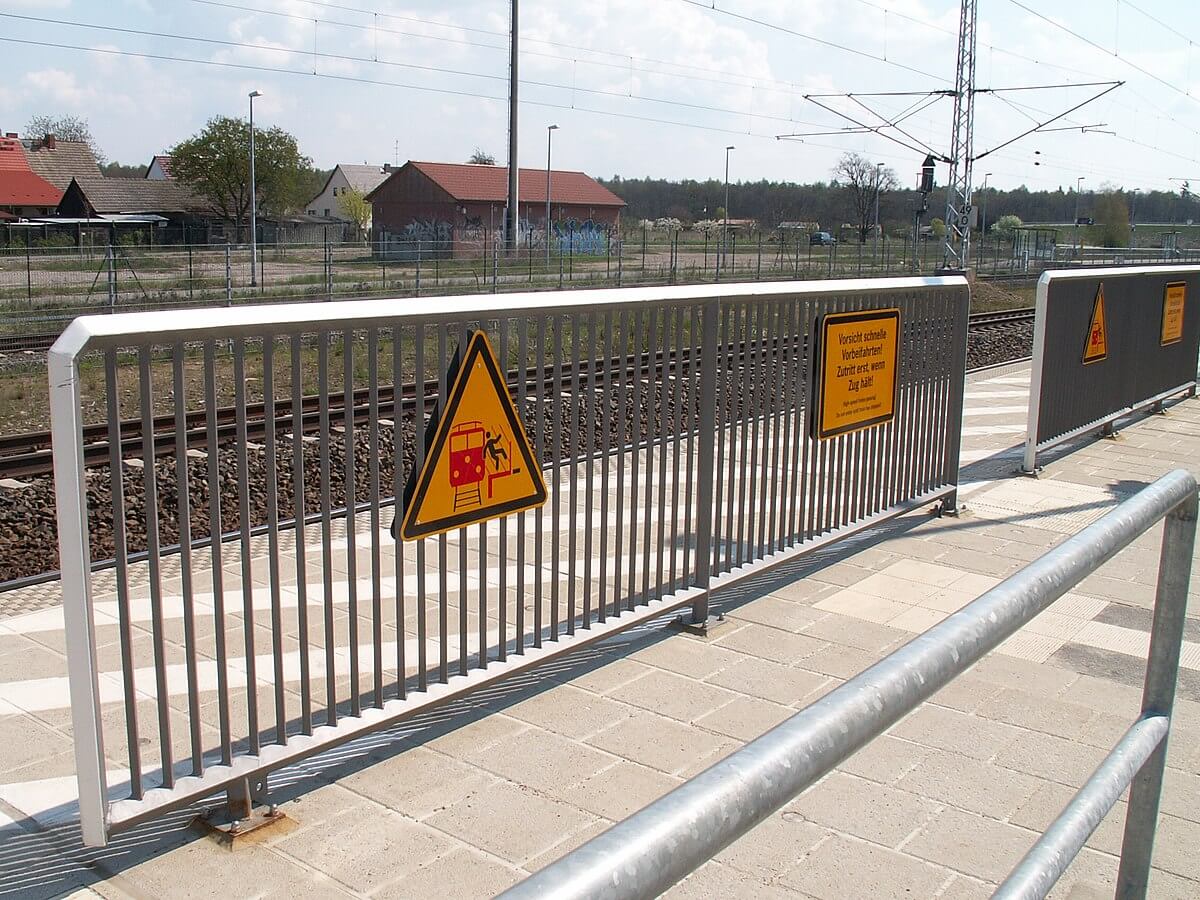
<point>706,458</point>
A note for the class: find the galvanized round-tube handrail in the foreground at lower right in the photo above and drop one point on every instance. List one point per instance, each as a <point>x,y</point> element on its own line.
<point>652,850</point>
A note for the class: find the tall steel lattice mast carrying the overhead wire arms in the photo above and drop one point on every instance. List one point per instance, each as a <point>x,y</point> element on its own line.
<point>958,190</point>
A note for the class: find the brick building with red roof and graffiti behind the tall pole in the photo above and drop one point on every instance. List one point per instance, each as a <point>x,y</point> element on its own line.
<point>453,209</point>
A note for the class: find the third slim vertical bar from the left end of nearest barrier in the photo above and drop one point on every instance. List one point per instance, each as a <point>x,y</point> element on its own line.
<point>183,484</point>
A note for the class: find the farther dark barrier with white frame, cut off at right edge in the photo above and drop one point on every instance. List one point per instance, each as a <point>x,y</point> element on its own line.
<point>1108,343</point>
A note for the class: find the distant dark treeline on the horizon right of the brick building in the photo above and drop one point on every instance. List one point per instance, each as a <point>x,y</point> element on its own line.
<point>773,202</point>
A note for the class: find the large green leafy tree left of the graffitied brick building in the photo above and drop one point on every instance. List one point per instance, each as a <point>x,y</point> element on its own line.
<point>215,165</point>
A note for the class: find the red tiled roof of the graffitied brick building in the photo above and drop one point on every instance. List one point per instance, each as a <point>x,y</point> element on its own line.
<point>466,182</point>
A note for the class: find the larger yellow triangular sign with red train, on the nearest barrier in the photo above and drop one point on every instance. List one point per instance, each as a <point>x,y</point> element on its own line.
<point>479,464</point>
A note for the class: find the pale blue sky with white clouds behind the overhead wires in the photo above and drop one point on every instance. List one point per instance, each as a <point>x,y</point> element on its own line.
<point>639,88</point>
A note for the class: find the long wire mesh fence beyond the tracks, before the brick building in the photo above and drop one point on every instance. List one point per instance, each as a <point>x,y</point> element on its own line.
<point>43,289</point>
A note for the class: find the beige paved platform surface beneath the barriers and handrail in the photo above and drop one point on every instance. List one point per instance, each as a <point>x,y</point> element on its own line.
<point>469,802</point>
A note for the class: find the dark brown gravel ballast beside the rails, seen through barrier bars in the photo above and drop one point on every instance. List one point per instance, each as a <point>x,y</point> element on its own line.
<point>28,530</point>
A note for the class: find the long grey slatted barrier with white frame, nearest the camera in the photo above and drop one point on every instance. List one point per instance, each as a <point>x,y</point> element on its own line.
<point>261,453</point>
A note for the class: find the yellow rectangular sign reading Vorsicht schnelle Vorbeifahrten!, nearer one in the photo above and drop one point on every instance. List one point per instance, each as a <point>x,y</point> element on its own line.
<point>857,380</point>
